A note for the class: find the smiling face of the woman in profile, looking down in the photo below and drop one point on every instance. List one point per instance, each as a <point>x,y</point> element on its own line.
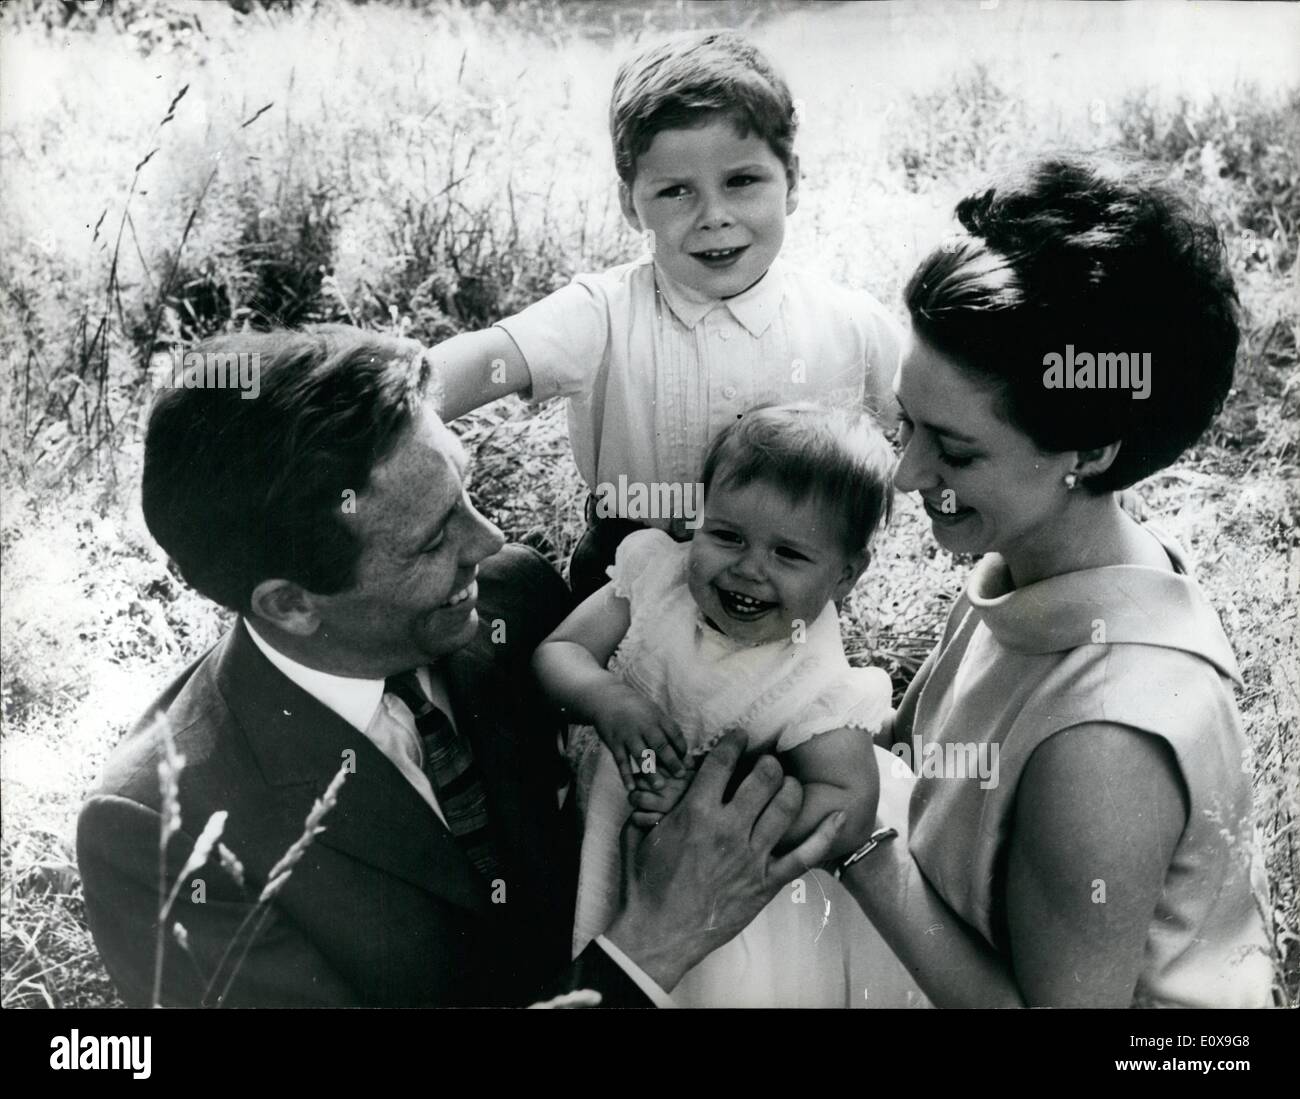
<point>985,484</point>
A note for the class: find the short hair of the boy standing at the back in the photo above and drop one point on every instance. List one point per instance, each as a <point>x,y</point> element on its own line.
<point>686,81</point>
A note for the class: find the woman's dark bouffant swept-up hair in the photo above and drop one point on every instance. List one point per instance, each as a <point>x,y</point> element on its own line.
<point>1077,253</point>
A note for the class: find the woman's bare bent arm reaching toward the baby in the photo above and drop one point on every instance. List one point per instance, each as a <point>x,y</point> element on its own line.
<point>1099,814</point>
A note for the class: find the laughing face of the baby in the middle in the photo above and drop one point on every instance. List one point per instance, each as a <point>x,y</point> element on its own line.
<point>762,564</point>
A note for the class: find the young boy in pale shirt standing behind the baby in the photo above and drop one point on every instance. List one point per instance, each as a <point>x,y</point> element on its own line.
<point>657,356</point>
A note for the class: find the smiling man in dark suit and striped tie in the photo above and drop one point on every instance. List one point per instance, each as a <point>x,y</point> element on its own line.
<point>382,652</point>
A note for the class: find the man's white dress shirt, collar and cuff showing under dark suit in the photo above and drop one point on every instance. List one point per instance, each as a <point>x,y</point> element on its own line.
<point>391,728</point>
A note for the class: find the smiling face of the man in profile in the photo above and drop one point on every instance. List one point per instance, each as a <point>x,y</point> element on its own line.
<point>415,598</point>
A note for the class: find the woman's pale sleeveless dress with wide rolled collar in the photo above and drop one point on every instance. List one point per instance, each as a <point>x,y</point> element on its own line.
<point>1130,646</point>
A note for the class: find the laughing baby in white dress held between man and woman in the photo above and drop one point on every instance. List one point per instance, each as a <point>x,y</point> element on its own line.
<point>739,629</point>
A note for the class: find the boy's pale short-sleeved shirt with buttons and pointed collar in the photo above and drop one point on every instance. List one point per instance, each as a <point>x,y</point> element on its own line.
<point>653,370</point>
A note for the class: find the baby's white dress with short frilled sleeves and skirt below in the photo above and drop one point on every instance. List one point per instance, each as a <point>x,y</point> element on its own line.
<point>812,946</point>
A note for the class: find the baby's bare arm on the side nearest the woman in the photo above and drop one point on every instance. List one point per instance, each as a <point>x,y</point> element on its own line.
<point>838,771</point>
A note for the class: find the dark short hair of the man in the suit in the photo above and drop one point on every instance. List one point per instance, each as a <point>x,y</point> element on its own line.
<point>240,491</point>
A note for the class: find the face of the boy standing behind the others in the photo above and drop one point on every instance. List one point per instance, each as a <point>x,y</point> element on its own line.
<point>716,204</point>
